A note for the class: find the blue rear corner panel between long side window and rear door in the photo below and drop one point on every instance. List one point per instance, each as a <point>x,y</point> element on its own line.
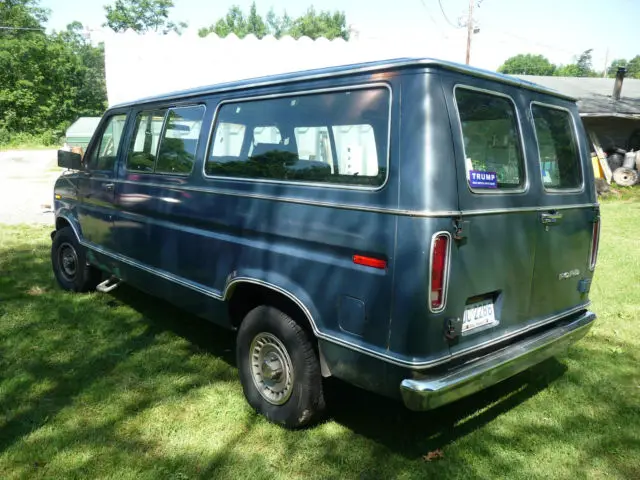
<point>427,187</point>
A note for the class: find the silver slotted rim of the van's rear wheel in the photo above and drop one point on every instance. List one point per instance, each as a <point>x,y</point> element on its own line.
<point>271,368</point>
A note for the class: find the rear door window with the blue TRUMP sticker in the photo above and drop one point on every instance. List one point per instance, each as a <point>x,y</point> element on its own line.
<point>492,149</point>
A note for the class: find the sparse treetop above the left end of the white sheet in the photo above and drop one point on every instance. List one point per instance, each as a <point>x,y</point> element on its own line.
<point>142,16</point>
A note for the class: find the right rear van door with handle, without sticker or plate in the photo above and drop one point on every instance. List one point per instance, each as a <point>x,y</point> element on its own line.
<point>565,247</point>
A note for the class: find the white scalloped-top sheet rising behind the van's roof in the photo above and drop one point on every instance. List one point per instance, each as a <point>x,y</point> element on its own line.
<point>139,66</point>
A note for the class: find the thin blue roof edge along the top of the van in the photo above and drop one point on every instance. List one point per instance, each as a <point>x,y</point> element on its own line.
<point>366,67</point>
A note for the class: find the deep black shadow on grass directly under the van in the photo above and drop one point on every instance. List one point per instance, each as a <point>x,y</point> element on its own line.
<point>381,419</point>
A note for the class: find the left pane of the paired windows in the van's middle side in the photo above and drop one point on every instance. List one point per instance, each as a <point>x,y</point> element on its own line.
<point>144,143</point>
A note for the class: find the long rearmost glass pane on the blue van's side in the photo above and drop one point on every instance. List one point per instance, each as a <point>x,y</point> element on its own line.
<point>334,137</point>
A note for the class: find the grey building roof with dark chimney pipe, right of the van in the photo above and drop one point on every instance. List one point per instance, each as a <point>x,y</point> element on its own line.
<point>594,94</point>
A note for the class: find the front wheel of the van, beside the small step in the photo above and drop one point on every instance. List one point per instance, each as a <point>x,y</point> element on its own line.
<point>69,262</point>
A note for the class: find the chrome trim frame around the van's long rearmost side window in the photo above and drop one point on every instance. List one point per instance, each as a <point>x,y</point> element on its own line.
<point>239,99</point>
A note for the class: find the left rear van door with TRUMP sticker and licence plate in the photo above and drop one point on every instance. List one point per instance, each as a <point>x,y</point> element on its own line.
<point>492,262</point>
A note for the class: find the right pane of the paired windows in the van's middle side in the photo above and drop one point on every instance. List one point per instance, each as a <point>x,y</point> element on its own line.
<point>180,140</point>
